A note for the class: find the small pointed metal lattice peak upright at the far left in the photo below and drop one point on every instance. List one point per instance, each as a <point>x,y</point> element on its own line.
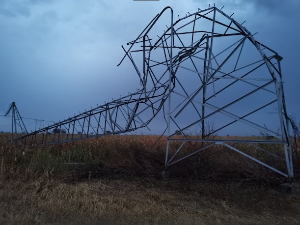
<point>16,121</point>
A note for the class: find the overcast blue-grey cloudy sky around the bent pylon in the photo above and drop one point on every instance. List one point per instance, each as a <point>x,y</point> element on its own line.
<point>59,57</point>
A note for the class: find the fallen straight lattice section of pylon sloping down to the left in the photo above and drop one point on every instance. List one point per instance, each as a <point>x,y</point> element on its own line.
<point>119,116</point>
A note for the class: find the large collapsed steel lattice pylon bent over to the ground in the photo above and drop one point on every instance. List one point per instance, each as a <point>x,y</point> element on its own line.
<point>202,67</point>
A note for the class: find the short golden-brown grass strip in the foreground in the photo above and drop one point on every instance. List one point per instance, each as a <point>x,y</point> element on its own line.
<point>138,201</point>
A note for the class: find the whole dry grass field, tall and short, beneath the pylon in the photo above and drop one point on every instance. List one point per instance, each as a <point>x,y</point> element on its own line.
<point>117,180</point>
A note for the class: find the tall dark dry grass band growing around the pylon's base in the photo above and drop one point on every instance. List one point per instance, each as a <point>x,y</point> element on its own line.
<point>137,155</point>
